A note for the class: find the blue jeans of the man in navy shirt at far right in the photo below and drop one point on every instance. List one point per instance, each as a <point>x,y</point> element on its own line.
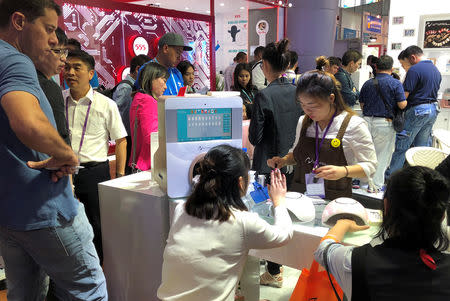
<point>419,121</point>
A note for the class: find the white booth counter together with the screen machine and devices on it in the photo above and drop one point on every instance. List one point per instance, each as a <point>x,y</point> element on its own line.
<point>136,210</point>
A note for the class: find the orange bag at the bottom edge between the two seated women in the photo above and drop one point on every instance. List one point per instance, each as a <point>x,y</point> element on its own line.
<point>318,286</point>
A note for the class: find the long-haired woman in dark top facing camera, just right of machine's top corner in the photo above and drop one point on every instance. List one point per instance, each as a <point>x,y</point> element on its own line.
<point>243,84</point>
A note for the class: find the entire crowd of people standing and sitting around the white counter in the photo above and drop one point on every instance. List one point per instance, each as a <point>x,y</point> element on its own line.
<point>306,136</point>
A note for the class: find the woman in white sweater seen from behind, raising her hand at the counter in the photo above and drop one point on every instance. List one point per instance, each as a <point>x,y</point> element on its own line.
<point>212,232</point>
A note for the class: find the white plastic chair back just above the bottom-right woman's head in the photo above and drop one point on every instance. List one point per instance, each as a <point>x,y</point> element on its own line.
<point>425,156</point>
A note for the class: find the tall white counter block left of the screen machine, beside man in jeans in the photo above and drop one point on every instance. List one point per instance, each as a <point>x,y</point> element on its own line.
<point>135,224</point>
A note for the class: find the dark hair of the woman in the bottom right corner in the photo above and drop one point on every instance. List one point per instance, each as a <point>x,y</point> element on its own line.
<point>416,201</point>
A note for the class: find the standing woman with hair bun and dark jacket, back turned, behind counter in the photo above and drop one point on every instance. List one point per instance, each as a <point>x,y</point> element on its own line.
<point>272,126</point>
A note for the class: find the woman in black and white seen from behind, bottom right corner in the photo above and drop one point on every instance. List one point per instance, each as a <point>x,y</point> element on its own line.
<point>410,263</point>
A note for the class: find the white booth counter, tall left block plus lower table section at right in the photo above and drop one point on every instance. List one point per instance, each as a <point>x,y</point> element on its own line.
<point>135,216</point>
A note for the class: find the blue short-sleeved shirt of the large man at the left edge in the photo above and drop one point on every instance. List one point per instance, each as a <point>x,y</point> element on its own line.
<point>29,199</point>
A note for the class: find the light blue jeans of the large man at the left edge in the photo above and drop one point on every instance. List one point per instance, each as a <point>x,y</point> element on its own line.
<point>65,253</point>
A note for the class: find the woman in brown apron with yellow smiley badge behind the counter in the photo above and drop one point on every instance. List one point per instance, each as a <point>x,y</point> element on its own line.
<point>332,144</point>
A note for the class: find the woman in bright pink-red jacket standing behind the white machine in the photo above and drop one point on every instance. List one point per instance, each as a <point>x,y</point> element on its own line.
<point>144,113</point>
